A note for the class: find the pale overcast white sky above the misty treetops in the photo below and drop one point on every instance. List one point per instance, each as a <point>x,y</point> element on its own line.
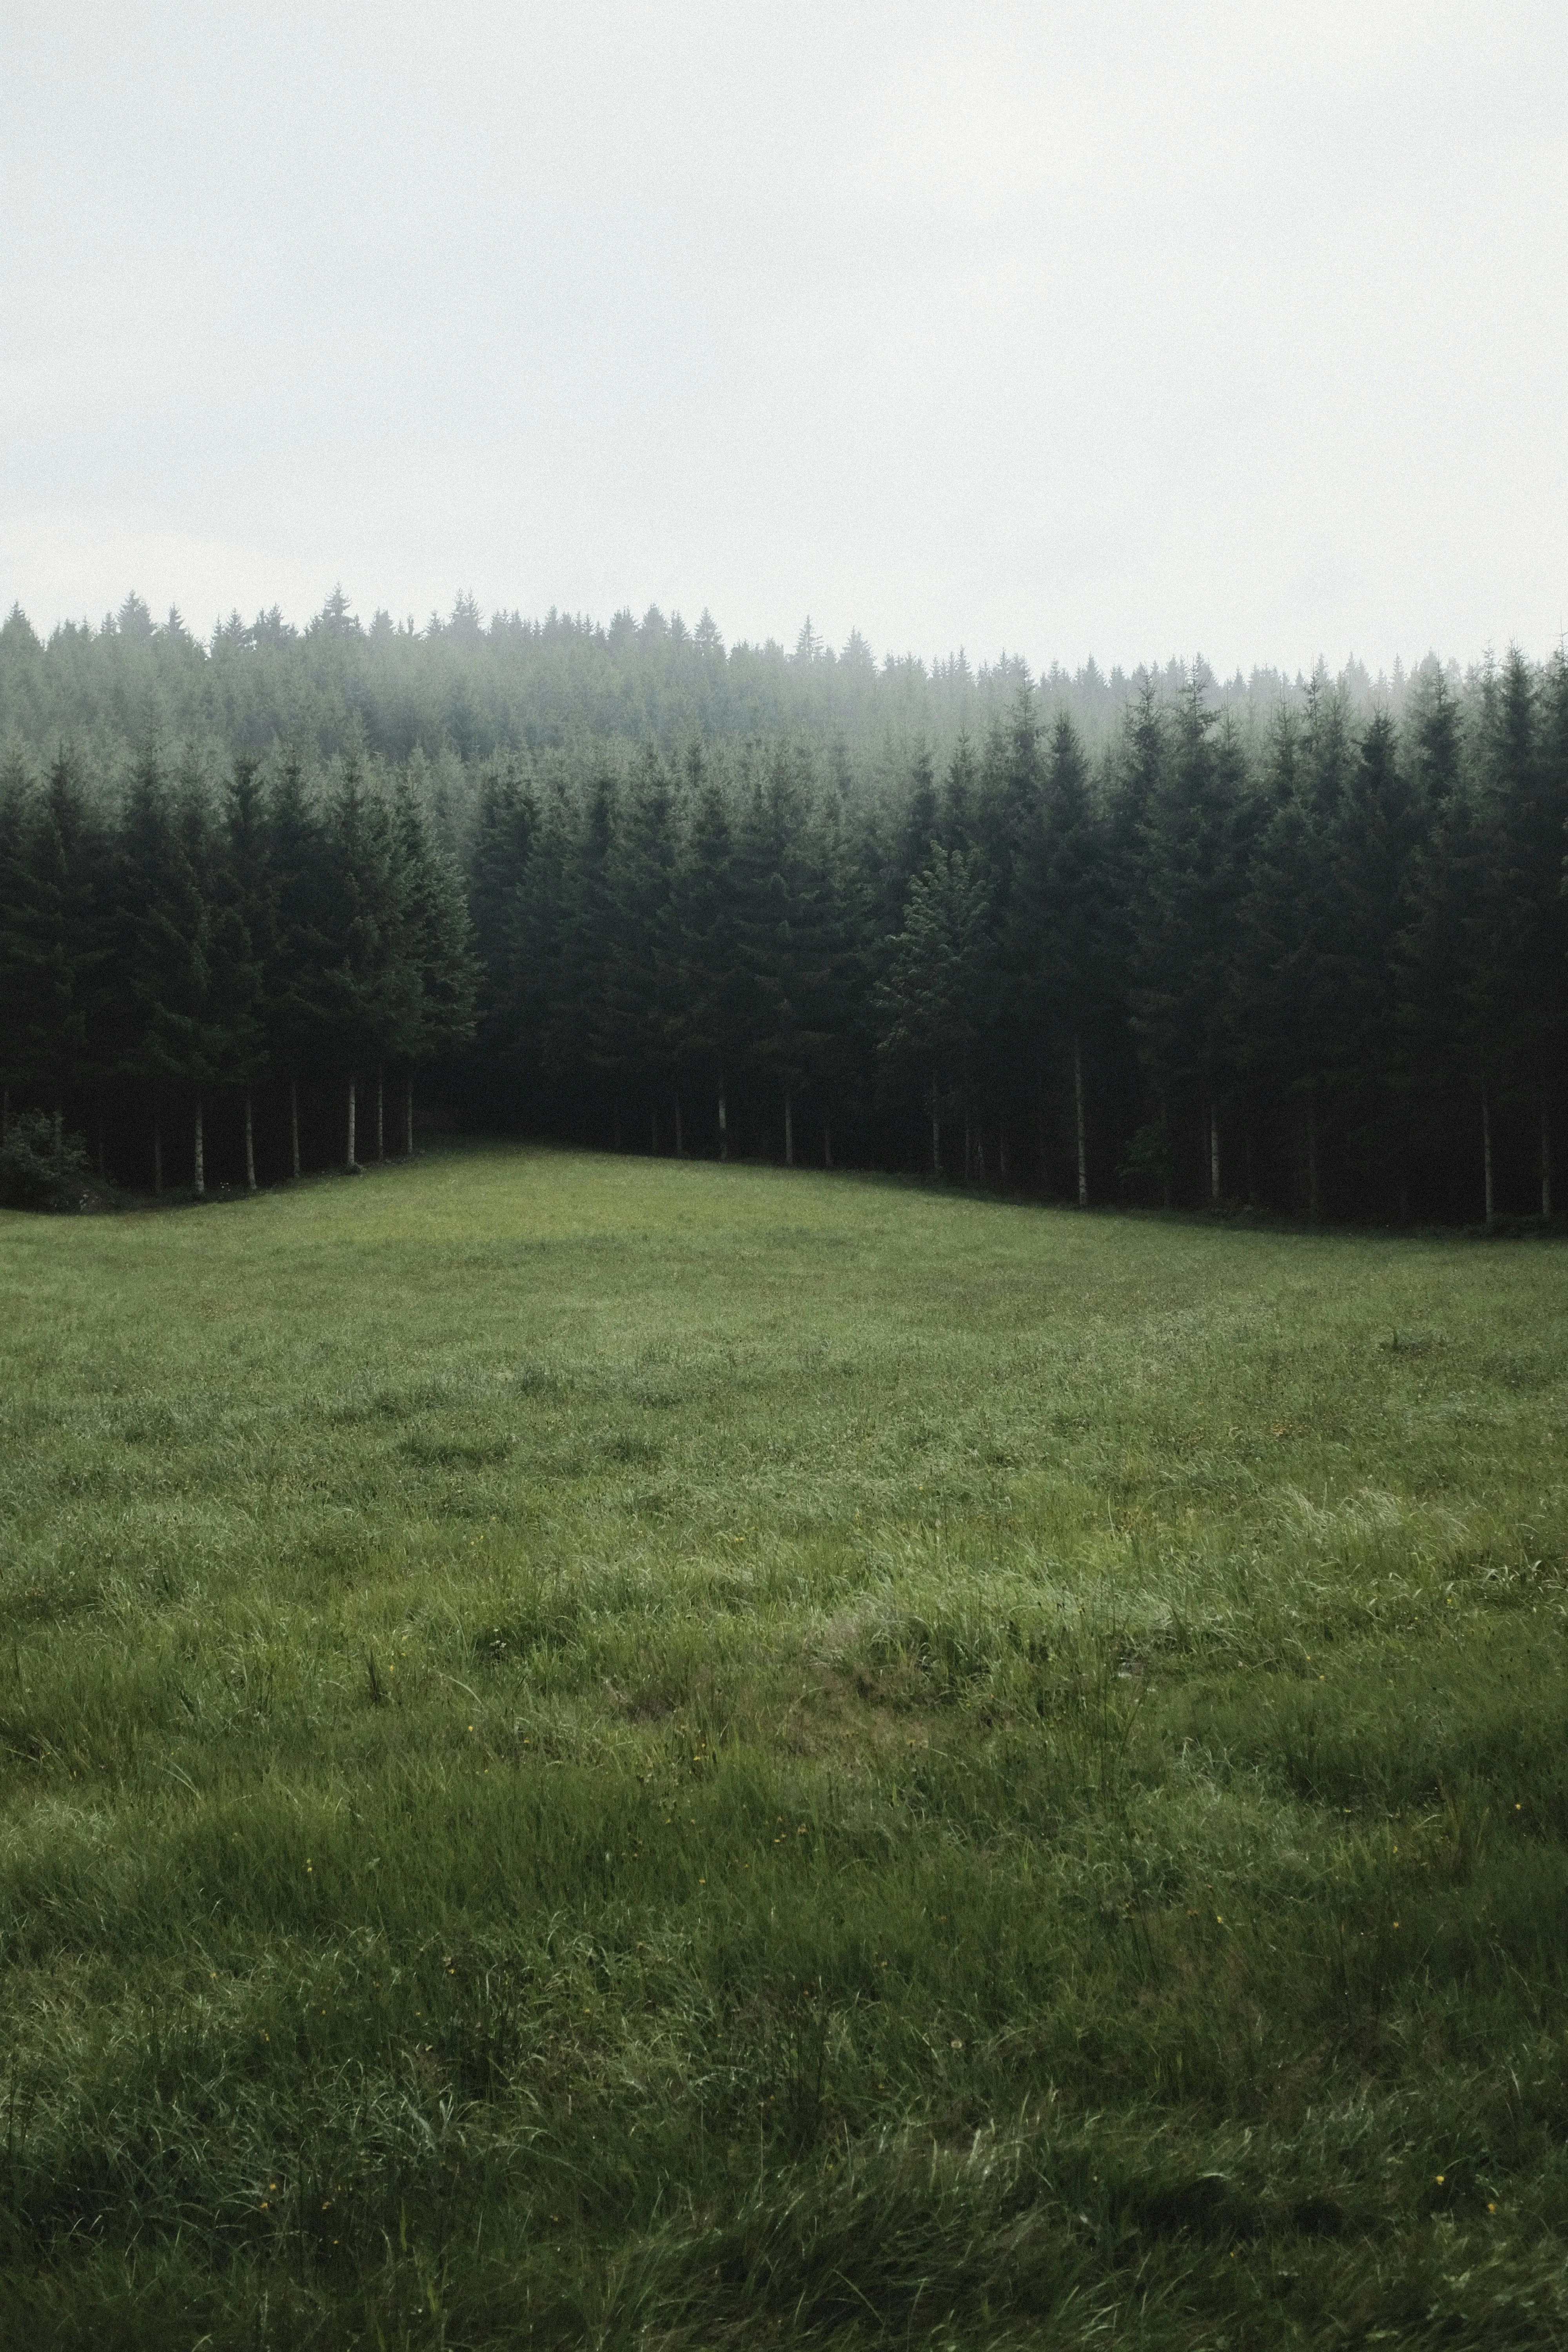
<point>1127,328</point>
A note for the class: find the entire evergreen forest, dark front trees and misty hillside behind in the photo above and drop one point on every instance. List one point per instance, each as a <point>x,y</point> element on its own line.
<point>1280,947</point>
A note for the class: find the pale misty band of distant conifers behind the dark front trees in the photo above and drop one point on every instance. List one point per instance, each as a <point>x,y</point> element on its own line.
<point>467,688</point>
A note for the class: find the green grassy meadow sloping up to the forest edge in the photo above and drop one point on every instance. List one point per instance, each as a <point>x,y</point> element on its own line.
<point>636,1753</point>
